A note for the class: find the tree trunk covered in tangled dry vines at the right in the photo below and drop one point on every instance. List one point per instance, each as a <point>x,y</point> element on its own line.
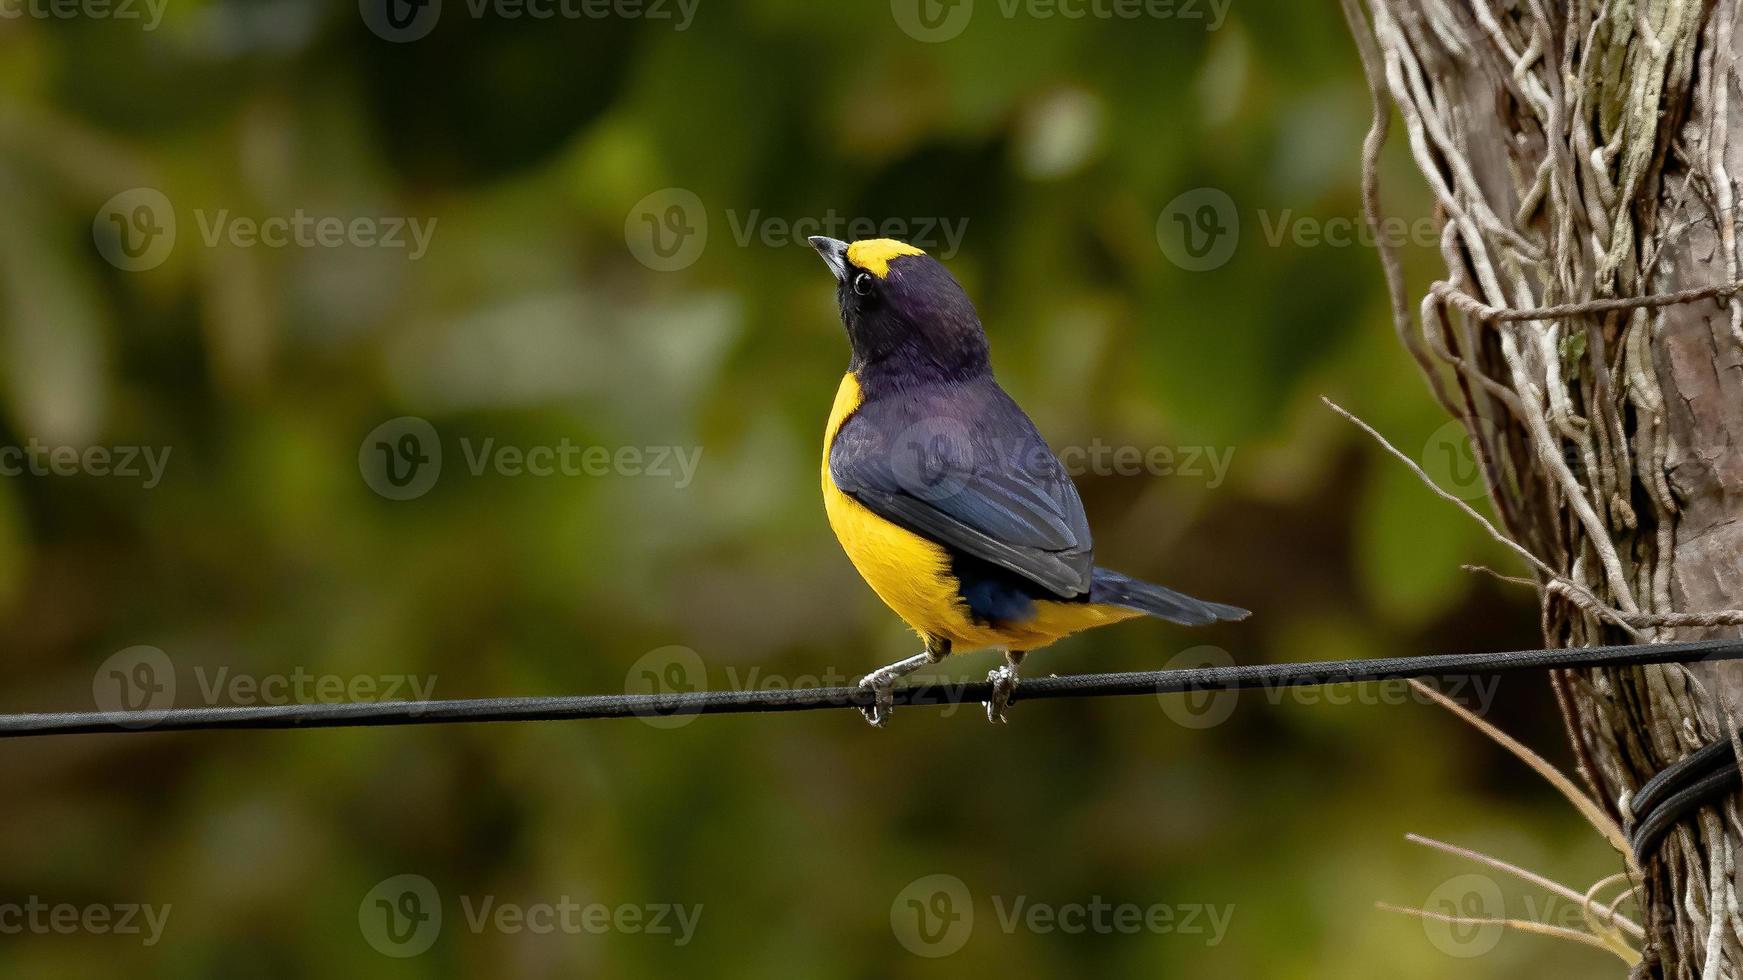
<point>1582,151</point>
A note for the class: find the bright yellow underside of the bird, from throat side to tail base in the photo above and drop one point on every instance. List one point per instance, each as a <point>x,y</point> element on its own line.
<point>912,575</point>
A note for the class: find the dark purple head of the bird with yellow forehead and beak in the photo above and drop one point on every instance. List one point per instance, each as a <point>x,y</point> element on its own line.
<point>905,315</point>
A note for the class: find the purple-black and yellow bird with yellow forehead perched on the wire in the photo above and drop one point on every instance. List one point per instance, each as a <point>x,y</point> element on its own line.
<point>942,491</point>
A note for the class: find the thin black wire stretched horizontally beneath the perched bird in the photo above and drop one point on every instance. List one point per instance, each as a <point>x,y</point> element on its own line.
<point>926,693</point>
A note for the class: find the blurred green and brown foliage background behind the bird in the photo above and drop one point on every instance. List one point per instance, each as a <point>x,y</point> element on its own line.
<point>545,158</point>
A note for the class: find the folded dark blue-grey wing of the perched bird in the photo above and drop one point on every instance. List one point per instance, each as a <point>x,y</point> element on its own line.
<point>961,465</point>
